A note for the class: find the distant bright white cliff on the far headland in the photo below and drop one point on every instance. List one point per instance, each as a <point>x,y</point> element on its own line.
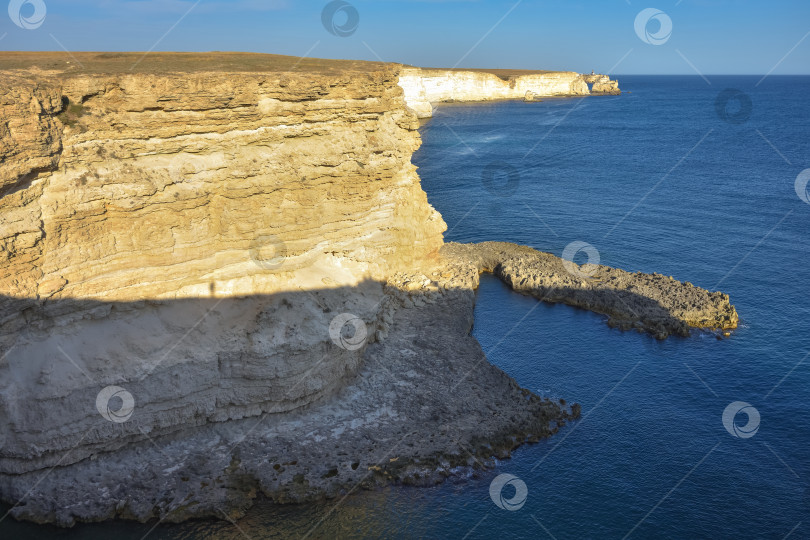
<point>423,87</point>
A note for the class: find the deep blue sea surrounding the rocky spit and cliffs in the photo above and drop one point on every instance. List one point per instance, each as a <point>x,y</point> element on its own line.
<point>683,176</point>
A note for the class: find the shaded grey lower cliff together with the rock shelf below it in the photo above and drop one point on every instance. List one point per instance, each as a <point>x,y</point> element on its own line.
<point>165,408</point>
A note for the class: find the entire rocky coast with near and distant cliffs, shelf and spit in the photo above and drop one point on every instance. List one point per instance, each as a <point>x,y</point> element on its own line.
<point>221,279</point>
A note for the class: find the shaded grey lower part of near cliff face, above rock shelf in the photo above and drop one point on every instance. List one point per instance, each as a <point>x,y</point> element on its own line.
<point>84,376</point>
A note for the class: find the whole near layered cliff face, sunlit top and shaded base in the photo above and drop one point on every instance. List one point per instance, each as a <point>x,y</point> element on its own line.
<point>189,193</point>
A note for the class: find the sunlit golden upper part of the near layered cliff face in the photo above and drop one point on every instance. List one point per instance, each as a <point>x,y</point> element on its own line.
<point>163,187</point>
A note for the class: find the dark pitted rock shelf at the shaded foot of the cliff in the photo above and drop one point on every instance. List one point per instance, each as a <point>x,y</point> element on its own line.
<point>424,404</point>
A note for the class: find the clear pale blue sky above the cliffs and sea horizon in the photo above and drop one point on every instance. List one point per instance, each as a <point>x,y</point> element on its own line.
<point>710,36</point>
